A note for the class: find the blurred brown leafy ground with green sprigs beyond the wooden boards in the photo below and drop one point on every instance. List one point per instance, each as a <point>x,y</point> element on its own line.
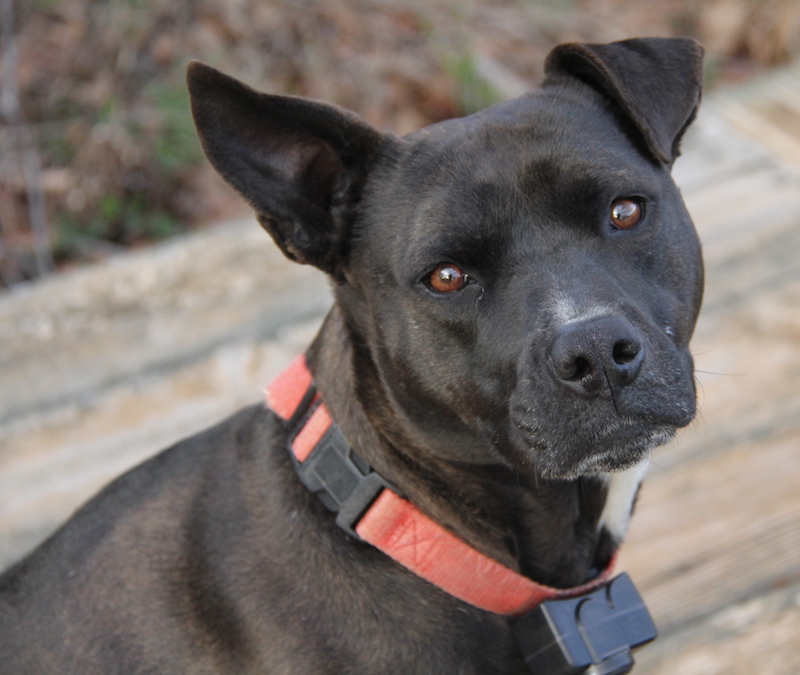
<point>97,146</point>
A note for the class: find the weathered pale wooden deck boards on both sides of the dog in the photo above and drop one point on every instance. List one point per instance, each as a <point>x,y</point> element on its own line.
<point>94,381</point>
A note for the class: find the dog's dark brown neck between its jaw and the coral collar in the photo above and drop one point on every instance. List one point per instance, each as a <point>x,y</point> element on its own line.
<point>550,531</point>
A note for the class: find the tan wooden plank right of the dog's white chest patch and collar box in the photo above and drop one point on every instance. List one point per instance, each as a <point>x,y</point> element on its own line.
<point>711,532</point>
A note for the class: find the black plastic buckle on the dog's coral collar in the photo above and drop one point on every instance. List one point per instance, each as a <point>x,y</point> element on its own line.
<point>342,480</point>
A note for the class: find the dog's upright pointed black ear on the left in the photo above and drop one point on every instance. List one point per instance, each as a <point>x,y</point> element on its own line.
<point>299,163</point>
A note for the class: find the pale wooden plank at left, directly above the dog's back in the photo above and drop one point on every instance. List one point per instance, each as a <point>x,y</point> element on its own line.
<point>51,464</point>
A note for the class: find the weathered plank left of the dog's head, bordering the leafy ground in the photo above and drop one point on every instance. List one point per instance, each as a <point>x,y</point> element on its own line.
<point>147,310</point>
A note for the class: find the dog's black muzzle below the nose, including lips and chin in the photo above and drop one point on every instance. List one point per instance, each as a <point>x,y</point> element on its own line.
<point>565,434</point>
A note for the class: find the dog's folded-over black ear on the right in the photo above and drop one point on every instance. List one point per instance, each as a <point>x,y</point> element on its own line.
<point>657,83</point>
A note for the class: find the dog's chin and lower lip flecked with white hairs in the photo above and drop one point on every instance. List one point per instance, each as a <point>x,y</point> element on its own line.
<point>617,447</point>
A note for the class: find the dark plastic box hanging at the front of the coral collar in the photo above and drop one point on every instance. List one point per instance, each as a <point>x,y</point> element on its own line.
<point>592,634</point>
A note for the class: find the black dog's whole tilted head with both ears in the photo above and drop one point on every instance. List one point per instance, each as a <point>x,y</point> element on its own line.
<point>519,286</point>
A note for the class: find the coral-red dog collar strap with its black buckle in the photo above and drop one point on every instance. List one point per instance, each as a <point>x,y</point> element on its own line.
<point>370,509</point>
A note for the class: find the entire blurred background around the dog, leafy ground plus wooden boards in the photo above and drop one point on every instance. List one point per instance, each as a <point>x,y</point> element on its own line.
<point>140,302</point>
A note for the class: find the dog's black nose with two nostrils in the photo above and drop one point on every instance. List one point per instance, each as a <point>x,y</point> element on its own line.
<point>597,355</point>
